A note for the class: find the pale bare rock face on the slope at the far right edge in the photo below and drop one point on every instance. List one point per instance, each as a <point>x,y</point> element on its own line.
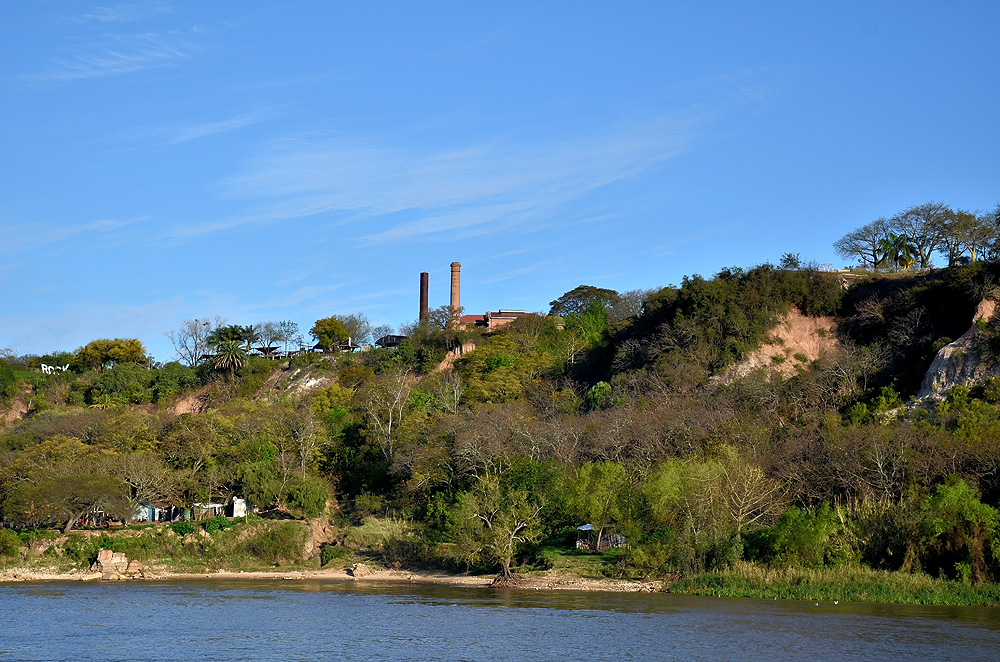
<point>962,363</point>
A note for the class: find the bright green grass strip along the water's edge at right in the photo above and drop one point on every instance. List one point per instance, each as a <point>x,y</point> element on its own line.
<point>748,580</point>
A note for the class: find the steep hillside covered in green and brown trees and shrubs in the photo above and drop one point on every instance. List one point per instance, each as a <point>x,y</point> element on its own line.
<point>761,416</point>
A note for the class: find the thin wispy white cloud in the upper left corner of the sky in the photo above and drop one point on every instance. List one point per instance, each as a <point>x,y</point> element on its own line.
<point>114,55</point>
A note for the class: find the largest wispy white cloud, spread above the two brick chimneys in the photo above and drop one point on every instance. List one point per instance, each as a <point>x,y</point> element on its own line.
<point>408,192</point>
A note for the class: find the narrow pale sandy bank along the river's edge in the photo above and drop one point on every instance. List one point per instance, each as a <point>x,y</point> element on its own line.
<point>534,581</point>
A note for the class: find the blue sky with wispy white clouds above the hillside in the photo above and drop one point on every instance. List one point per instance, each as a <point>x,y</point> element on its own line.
<point>162,161</point>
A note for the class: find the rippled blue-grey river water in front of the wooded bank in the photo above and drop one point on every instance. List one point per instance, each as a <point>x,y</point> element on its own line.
<point>325,620</point>
